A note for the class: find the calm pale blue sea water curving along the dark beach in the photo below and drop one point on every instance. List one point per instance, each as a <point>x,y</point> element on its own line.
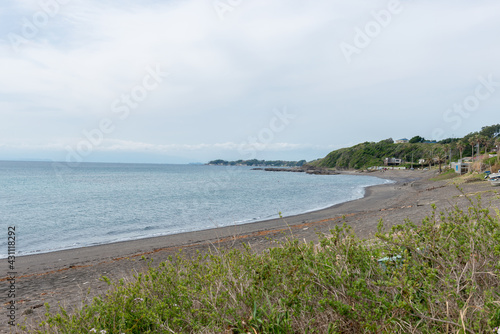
<point>57,207</point>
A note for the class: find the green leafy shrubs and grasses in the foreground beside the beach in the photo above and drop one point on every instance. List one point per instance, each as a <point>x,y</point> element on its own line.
<point>440,276</point>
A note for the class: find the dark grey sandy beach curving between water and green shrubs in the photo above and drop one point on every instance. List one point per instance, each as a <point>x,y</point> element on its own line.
<point>72,277</point>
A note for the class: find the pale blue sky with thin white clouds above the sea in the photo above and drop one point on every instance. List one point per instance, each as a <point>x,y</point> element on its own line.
<point>179,81</point>
